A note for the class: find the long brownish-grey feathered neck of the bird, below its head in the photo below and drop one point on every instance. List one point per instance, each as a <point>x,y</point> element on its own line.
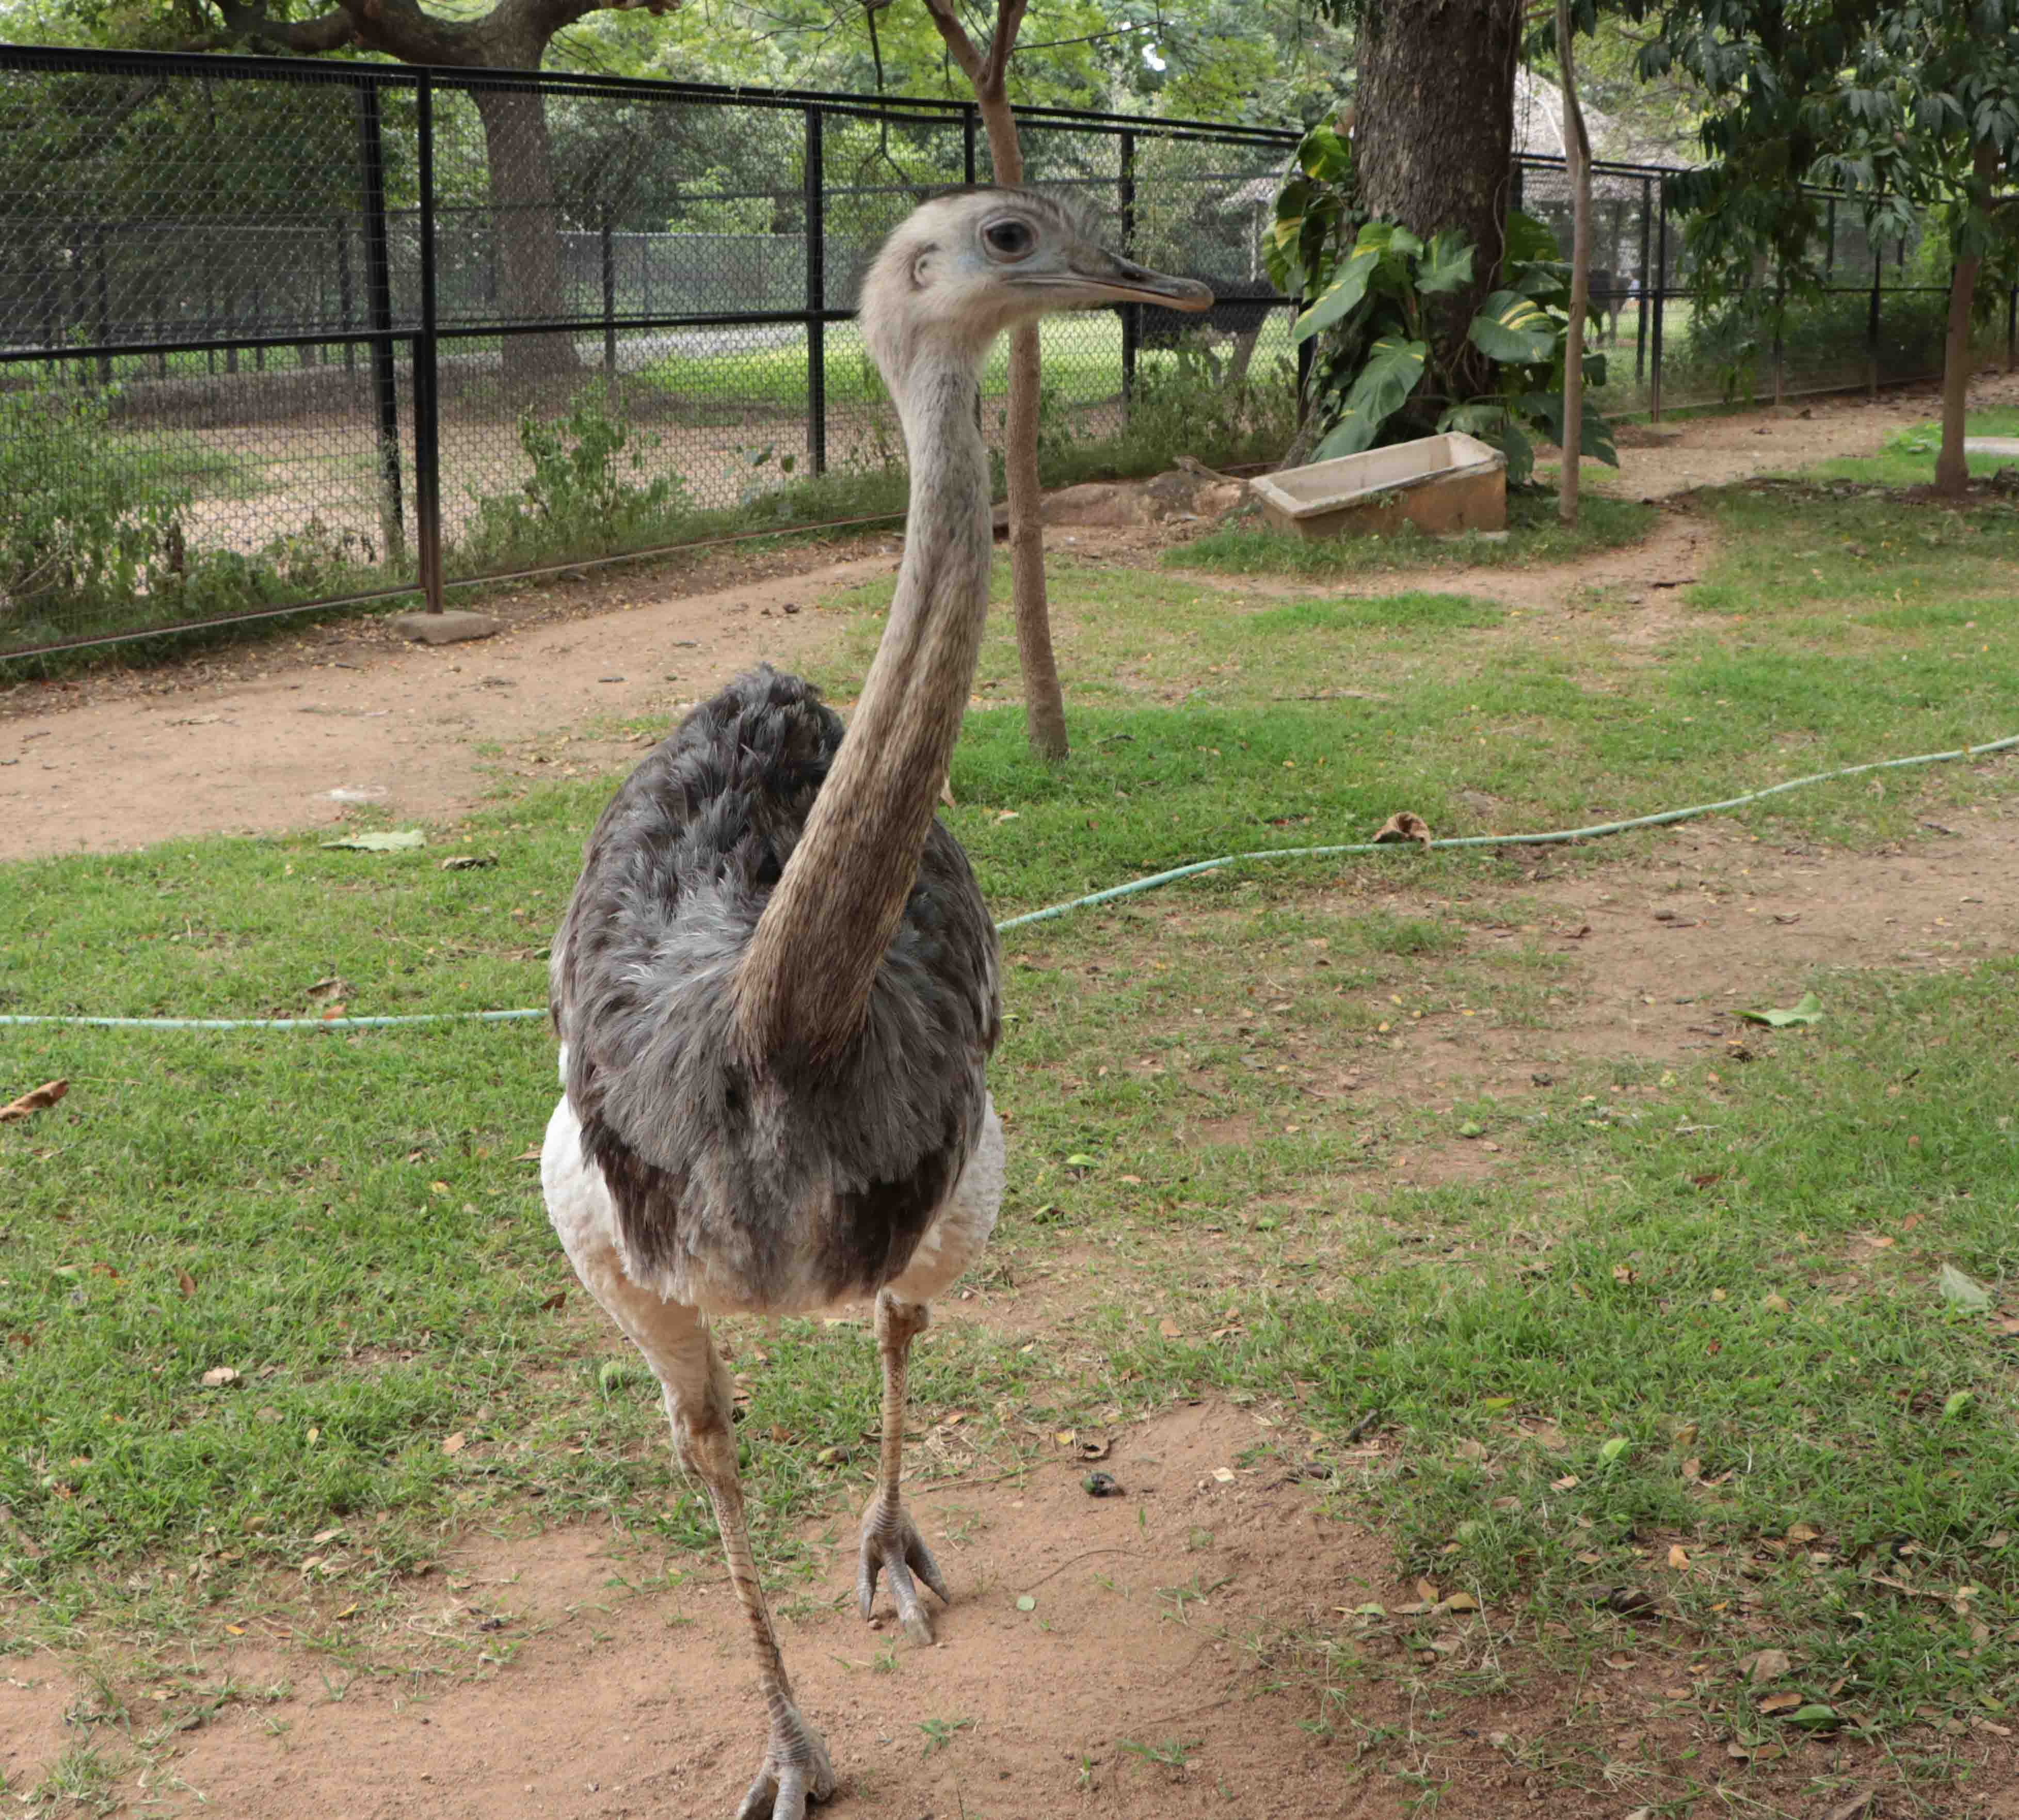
<point>807,979</point>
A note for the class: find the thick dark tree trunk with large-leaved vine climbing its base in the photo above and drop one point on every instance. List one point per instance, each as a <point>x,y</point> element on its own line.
<point>1434,138</point>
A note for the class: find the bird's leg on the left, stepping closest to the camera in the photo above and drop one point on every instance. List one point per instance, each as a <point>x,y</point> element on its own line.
<point>702,1409</point>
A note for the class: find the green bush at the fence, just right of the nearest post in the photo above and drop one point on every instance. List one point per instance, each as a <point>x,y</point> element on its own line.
<point>589,490</point>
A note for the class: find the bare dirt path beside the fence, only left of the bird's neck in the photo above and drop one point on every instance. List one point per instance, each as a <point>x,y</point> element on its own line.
<point>403,726</point>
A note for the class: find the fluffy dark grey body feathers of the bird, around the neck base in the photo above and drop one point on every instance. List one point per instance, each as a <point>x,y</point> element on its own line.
<point>776,1183</point>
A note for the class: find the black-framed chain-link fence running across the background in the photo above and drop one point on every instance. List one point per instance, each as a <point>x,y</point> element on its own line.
<point>280,334</point>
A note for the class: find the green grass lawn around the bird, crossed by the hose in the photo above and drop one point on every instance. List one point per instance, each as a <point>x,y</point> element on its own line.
<point>1663,1326</point>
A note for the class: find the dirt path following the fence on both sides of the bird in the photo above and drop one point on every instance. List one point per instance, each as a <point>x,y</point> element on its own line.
<point>257,740</point>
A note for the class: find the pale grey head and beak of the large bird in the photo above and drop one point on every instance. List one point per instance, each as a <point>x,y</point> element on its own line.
<point>964,268</point>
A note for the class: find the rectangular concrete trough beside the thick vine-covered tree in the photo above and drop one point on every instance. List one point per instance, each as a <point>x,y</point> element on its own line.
<point>1437,484</point>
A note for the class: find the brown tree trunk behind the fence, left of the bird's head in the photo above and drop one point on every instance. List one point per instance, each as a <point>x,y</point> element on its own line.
<point>526,229</point>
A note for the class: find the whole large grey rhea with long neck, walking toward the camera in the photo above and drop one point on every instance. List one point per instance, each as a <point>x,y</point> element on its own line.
<point>776,981</point>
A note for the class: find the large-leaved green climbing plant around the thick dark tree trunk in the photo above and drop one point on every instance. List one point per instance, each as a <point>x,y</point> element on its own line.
<point>1374,286</point>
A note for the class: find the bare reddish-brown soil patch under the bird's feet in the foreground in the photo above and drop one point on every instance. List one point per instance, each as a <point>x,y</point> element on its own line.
<point>1176,1661</point>
